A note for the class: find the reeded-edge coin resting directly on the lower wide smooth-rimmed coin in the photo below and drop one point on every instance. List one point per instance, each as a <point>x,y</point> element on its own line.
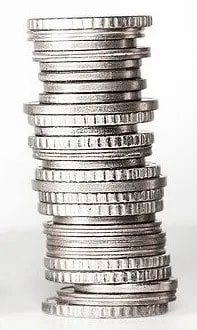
<point>150,170</point>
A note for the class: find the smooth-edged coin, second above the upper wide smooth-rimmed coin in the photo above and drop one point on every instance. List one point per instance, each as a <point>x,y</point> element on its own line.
<point>125,85</point>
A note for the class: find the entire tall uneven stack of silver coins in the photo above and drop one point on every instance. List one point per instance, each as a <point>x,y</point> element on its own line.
<point>104,242</point>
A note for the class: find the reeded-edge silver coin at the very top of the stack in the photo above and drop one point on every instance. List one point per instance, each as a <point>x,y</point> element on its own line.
<point>85,23</point>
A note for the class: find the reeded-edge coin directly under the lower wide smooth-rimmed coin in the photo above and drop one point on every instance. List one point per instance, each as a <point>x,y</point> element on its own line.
<point>101,198</point>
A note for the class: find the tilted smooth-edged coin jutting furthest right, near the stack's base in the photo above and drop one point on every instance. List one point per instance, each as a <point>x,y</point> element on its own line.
<point>162,286</point>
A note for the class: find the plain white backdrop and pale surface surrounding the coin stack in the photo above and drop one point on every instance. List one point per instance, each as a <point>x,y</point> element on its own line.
<point>171,73</point>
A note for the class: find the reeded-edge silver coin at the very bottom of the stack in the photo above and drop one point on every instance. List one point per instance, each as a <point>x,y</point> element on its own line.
<point>53,306</point>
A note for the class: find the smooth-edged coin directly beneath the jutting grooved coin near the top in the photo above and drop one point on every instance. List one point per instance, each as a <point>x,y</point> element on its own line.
<point>85,65</point>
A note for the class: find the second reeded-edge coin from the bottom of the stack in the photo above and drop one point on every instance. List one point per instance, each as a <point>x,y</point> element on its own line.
<point>125,276</point>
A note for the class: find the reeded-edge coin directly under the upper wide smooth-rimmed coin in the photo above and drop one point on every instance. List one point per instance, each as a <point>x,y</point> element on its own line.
<point>112,120</point>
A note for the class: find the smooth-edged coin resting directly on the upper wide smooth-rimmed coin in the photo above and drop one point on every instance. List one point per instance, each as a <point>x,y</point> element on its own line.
<point>89,98</point>
